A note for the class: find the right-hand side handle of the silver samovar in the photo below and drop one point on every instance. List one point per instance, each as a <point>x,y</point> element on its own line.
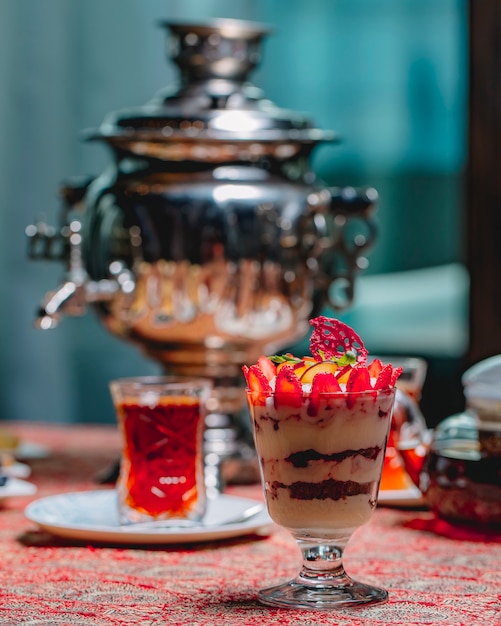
<point>345,229</point>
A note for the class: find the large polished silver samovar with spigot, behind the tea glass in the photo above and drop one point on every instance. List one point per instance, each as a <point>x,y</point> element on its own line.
<point>207,241</point>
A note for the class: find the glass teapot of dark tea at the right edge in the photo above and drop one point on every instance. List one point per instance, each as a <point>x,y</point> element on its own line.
<point>457,465</point>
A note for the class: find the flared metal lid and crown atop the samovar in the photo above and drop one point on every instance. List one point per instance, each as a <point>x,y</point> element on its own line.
<point>213,100</point>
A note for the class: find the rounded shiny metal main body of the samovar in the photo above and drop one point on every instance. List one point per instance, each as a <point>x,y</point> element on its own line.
<point>211,268</point>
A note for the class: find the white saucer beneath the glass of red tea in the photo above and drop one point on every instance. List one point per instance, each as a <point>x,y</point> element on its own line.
<point>92,515</point>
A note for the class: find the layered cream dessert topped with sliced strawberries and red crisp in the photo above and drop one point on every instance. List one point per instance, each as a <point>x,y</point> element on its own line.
<point>320,425</point>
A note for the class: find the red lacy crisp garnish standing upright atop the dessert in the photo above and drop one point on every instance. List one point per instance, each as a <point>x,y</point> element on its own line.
<point>332,339</point>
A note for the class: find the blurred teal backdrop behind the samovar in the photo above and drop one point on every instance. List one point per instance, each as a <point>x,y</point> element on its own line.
<point>390,76</point>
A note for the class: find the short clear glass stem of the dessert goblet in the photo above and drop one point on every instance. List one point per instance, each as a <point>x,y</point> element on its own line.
<point>323,563</point>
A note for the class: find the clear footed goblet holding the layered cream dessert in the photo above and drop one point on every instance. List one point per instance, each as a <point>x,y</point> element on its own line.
<point>321,469</point>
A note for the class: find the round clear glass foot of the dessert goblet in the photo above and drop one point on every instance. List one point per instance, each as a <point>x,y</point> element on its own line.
<point>295,595</point>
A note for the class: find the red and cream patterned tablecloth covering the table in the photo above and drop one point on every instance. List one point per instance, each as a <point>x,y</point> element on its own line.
<point>435,573</point>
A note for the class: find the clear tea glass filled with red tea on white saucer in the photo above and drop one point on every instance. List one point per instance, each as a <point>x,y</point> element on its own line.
<point>161,420</point>
